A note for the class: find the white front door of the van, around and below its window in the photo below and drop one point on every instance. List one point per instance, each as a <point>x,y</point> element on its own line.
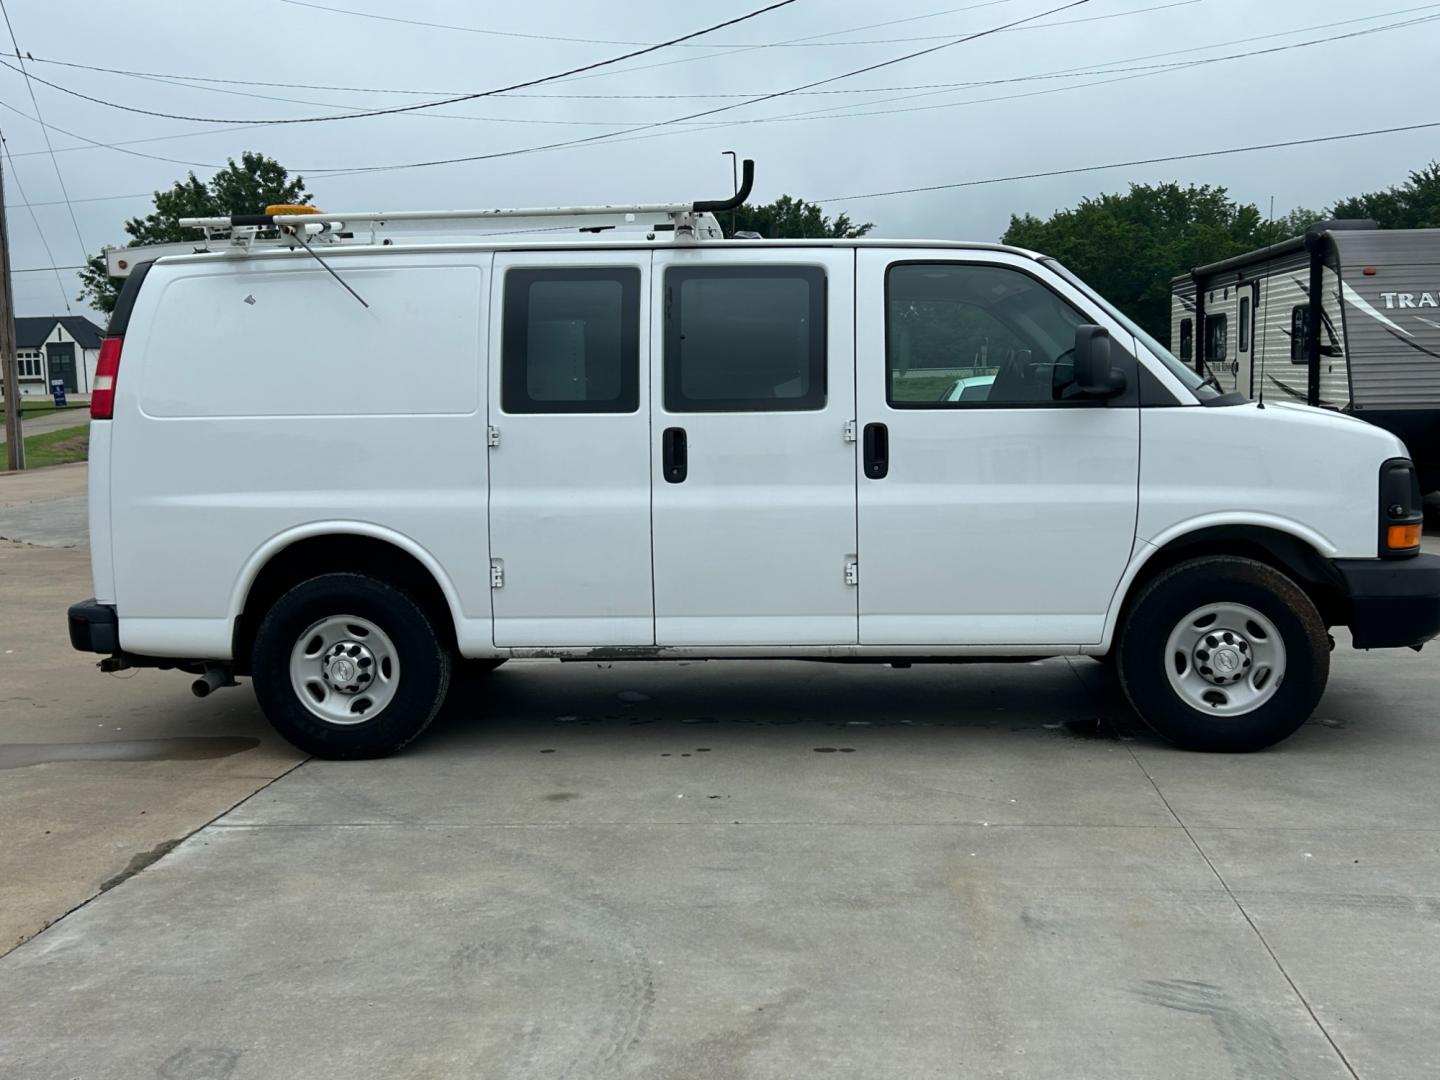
<point>996,526</point>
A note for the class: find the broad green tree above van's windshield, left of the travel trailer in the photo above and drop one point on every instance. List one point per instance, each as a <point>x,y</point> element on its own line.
<point>1130,247</point>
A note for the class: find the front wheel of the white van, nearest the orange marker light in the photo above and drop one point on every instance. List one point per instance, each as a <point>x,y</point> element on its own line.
<point>1223,654</point>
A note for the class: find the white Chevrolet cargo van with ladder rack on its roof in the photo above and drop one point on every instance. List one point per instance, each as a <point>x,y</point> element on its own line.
<point>338,454</point>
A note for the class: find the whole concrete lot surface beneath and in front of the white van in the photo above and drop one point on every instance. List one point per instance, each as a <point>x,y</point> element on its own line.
<point>711,870</point>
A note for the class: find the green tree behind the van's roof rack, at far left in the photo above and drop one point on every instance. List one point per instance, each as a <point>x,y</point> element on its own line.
<point>247,188</point>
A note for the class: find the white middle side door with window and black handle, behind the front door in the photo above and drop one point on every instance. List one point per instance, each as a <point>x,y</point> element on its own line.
<point>752,546</point>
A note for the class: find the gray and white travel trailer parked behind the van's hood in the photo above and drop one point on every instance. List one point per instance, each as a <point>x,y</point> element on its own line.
<point>1370,345</point>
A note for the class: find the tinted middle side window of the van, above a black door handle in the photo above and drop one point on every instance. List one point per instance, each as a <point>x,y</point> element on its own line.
<point>745,339</point>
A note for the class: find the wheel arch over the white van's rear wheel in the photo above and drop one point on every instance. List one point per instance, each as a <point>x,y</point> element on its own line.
<point>338,546</point>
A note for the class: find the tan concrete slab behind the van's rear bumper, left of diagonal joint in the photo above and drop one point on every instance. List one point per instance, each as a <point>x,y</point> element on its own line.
<point>97,773</point>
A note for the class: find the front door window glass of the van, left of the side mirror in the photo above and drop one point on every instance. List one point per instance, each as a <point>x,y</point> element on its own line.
<point>961,336</point>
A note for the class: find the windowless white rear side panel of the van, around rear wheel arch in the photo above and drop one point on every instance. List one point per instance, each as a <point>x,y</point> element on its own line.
<point>258,400</point>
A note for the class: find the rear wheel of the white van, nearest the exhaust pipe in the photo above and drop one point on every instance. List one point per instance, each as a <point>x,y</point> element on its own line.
<point>348,666</point>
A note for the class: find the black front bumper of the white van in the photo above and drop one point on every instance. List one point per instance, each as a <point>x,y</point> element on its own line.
<point>1393,603</point>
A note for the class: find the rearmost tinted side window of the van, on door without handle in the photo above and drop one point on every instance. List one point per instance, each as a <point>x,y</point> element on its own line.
<point>571,341</point>
